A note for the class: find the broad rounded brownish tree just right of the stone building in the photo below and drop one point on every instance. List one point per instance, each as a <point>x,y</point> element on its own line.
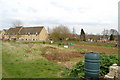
<point>60,33</point>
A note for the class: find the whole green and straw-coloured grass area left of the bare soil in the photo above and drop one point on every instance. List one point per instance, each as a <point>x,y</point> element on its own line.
<point>32,65</point>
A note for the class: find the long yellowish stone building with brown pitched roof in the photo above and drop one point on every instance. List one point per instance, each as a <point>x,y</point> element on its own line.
<point>37,33</point>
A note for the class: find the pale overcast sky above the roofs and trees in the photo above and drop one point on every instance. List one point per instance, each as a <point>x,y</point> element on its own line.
<point>92,15</point>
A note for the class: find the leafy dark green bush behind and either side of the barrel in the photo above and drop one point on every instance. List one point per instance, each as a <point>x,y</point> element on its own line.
<point>105,62</point>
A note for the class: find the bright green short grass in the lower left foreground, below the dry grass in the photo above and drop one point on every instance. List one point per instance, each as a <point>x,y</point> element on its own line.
<point>36,69</point>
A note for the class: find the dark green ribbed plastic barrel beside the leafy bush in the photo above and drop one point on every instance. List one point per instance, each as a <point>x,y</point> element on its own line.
<point>92,65</point>
